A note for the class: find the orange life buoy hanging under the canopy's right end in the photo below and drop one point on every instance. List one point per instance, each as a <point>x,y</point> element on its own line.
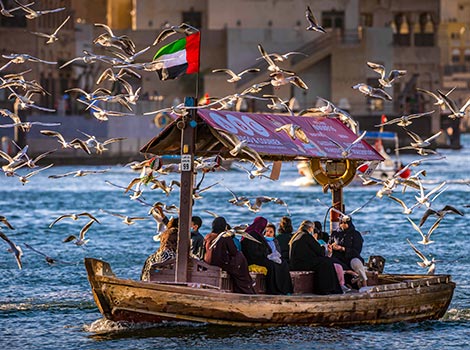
<point>333,181</point>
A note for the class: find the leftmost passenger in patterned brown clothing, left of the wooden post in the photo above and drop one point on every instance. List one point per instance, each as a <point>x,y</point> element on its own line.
<point>167,250</point>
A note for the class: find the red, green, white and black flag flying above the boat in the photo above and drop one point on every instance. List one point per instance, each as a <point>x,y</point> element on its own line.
<point>180,57</point>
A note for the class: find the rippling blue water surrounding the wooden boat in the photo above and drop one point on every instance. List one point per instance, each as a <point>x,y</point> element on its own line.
<point>51,307</point>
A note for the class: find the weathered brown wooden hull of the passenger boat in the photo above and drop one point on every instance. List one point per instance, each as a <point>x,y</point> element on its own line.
<point>415,300</point>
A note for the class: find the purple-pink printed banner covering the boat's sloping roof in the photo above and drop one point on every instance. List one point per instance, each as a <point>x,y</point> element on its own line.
<point>259,132</point>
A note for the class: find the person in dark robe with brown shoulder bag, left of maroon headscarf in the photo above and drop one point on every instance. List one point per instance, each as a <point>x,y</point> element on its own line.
<point>220,250</point>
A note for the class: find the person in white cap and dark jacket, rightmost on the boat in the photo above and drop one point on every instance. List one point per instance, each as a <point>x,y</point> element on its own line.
<point>346,244</point>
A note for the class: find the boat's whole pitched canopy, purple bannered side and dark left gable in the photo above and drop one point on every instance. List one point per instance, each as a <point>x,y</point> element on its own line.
<point>217,132</point>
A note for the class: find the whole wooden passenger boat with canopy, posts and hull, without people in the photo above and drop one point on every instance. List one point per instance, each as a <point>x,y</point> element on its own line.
<point>190,290</point>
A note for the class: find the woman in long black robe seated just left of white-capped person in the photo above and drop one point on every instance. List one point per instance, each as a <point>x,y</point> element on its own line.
<point>306,254</point>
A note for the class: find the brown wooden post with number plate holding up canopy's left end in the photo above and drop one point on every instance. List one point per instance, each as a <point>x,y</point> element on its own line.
<point>188,126</point>
